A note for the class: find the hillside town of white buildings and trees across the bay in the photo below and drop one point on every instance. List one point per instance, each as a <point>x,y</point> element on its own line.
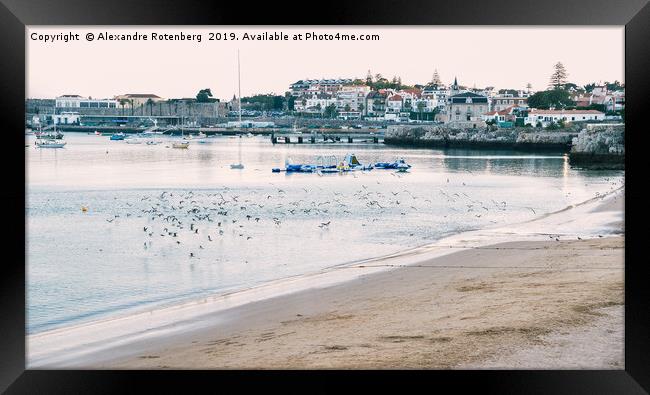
<point>373,100</point>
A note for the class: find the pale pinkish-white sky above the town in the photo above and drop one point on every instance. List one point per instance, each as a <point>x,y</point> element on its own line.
<point>504,57</point>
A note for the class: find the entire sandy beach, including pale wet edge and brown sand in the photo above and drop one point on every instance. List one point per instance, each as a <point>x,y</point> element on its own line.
<point>548,293</point>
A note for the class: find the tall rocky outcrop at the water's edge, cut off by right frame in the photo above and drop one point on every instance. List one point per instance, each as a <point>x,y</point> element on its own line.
<point>599,147</point>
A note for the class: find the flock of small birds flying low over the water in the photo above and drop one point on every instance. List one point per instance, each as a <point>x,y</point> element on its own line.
<point>197,219</point>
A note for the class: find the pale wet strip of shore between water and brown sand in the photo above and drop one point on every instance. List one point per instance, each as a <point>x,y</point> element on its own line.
<point>83,344</point>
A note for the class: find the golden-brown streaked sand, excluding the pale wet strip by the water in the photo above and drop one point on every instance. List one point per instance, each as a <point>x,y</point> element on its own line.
<point>532,304</point>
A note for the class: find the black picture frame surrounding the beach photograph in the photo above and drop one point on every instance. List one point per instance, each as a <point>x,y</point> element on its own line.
<point>16,14</point>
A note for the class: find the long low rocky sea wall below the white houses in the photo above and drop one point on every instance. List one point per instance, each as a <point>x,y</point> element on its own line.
<point>440,136</point>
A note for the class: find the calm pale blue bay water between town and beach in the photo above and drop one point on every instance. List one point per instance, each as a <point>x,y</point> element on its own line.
<point>164,225</point>
